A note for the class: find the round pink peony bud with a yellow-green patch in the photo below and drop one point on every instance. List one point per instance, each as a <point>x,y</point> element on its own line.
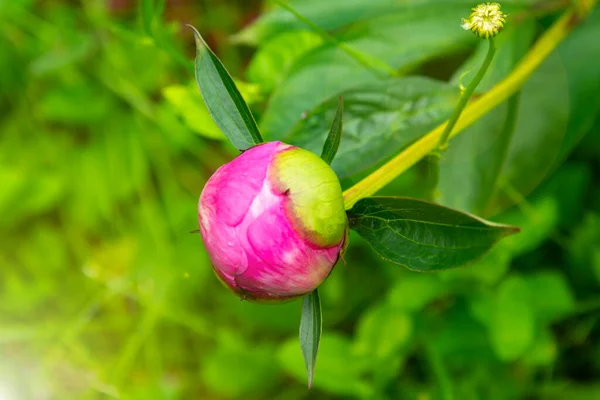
<point>273,222</point>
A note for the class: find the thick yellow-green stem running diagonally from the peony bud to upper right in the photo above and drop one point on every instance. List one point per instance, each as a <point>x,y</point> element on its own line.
<point>499,93</point>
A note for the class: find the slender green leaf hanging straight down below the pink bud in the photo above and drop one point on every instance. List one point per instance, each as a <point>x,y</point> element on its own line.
<point>310,332</point>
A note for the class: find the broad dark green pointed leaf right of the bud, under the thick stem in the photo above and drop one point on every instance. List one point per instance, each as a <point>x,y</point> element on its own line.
<point>423,236</point>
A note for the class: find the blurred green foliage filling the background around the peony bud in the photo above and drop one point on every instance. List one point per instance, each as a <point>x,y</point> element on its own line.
<point>105,145</point>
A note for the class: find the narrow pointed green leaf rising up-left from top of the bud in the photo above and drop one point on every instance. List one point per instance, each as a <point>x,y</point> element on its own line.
<point>223,100</point>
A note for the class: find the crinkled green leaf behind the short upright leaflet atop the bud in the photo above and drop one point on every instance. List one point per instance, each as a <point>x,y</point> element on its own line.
<point>379,120</point>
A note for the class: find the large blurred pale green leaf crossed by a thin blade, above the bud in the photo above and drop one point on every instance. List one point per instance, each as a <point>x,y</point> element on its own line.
<point>432,32</point>
